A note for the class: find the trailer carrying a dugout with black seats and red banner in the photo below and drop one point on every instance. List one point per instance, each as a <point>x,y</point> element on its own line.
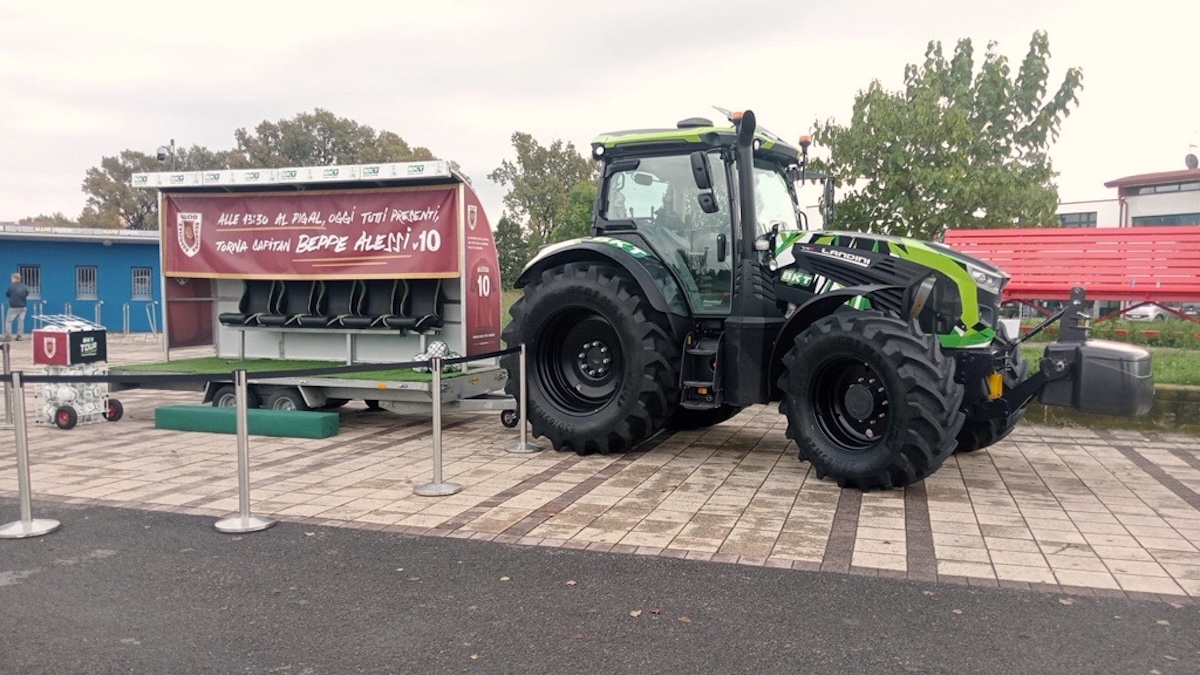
<point>329,266</point>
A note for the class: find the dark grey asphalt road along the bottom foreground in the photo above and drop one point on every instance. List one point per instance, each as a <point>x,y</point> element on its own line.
<point>131,592</point>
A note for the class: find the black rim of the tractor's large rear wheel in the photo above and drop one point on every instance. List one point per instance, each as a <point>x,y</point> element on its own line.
<point>579,361</point>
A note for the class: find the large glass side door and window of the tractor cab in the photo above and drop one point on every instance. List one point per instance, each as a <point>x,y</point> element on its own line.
<point>661,198</point>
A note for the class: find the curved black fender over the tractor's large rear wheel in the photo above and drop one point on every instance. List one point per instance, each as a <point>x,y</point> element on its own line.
<point>652,277</point>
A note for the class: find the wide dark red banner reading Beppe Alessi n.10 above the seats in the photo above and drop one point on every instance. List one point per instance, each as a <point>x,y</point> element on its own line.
<point>392,234</point>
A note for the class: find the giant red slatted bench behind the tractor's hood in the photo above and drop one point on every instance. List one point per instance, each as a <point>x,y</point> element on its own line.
<point>1136,265</point>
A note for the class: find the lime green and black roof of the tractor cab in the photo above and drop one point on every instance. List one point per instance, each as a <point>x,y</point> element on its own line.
<point>693,134</point>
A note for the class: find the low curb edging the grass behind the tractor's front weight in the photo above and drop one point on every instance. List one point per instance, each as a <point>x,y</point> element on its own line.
<point>1177,410</point>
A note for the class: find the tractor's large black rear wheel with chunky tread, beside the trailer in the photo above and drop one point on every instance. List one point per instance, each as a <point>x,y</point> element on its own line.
<point>603,366</point>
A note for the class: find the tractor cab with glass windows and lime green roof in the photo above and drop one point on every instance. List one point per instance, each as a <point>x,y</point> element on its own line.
<point>676,193</point>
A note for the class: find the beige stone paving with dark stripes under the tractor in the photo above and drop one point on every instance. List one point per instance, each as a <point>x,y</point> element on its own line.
<point>1065,510</point>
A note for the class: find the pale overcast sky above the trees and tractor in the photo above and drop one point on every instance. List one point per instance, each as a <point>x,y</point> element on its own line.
<point>82,80</point>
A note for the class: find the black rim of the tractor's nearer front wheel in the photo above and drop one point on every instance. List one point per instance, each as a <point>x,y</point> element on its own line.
<point>851,405</point>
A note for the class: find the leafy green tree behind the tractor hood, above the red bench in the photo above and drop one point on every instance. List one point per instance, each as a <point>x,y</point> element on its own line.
<point>956,148</point>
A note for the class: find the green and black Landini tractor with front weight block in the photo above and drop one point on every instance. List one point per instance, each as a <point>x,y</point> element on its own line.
<point>701,292</point>
